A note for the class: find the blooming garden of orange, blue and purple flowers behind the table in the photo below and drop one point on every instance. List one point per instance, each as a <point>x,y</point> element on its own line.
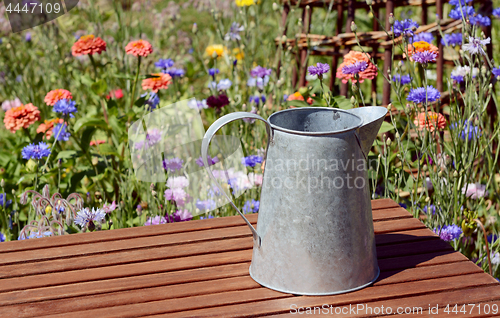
<point>71,89</point>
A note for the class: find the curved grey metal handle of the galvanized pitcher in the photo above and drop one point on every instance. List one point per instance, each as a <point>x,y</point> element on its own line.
<point>204,152</point>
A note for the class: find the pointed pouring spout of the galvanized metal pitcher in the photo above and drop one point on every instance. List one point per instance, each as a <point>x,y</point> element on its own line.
<point>372,116</point>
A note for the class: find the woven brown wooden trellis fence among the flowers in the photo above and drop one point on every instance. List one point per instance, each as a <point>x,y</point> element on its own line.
<point>339,44</point>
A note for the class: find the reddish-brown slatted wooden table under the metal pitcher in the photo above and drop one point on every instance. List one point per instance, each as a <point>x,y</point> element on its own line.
<point>200,268</point>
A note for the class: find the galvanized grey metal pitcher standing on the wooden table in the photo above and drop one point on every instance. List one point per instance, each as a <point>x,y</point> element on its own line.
<point>315,230</point>
